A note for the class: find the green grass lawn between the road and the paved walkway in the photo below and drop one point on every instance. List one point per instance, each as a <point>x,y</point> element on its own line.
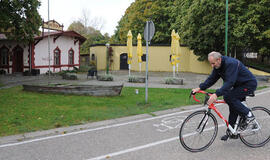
<point>22,111</point>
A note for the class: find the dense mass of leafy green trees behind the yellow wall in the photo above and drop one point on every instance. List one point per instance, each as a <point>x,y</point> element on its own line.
<point>201,24</point>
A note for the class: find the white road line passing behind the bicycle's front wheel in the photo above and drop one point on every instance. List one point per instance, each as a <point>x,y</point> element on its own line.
<point>146,146</point>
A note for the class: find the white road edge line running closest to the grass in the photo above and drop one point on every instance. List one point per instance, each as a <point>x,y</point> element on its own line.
<point>106,127</point>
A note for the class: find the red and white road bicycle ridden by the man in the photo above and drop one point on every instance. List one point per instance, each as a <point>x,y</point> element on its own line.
<point>199,129</point>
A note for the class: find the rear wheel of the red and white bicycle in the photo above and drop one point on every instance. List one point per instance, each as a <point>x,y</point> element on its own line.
<point>258,132</point>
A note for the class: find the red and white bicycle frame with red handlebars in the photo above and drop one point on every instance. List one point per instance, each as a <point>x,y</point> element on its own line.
<point>213,107</point>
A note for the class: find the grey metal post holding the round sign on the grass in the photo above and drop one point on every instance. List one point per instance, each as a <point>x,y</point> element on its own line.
<point>146,65</point>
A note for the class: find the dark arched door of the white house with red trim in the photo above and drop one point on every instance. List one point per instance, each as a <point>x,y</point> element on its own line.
<point>17,64</point>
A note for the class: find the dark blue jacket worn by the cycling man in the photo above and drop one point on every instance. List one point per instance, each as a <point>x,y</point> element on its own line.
<point>233,73</point>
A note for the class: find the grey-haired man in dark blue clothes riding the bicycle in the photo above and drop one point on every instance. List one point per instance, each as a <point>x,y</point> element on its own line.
<point>239,82</point>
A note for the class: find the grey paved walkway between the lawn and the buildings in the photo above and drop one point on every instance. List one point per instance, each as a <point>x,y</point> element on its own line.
<point>156,80</point>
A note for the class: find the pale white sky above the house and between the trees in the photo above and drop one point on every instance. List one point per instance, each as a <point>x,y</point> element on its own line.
<point>106,12</point>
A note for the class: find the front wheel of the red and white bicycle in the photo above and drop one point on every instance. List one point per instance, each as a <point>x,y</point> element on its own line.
<point>198,131</point>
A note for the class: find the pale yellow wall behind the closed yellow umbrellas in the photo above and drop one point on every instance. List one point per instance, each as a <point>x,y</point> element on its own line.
<point>158,60</point>
